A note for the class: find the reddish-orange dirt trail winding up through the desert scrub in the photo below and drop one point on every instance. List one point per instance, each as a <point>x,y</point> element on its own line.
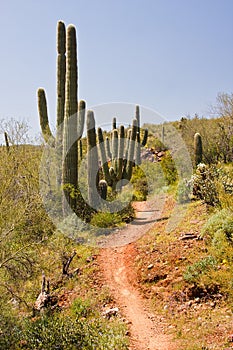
<point>116,262</point>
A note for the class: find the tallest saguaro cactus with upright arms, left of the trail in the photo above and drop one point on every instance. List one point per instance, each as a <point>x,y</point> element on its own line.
<point>70,114</point>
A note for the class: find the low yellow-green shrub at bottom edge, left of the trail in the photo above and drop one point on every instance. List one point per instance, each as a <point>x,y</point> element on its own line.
<point>72,331</point>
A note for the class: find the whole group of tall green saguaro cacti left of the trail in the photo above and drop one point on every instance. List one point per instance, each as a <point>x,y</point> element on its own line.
<point>118,154</point>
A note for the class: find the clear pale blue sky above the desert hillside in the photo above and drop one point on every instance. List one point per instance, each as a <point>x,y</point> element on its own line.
<point>173,56</point>
